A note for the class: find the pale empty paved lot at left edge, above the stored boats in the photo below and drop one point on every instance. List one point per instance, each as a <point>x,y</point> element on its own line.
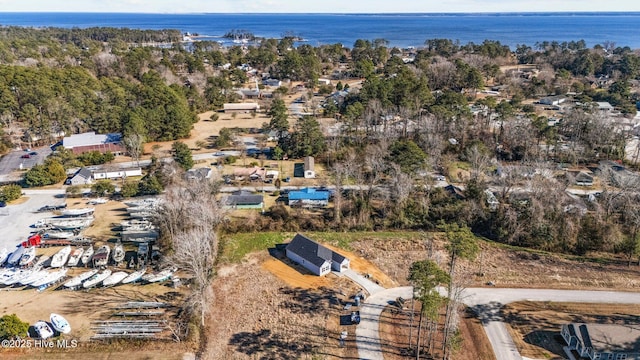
<point>15,220</point>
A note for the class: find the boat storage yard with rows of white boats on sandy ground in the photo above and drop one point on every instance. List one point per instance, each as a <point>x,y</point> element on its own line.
<point>52,260</point>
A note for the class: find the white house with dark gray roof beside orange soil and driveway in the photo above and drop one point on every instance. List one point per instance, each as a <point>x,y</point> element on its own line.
<point>315,257</point>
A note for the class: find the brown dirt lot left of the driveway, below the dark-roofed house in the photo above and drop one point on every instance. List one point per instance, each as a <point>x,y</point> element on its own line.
<point>259,315</point>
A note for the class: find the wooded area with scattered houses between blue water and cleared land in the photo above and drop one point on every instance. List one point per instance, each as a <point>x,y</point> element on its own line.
<point>418,111</point>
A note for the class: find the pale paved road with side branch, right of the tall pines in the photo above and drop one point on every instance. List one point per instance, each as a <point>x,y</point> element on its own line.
<point>487,303</point>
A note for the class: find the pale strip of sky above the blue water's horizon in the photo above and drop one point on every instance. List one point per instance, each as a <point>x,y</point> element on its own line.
<point>315,6</point>
